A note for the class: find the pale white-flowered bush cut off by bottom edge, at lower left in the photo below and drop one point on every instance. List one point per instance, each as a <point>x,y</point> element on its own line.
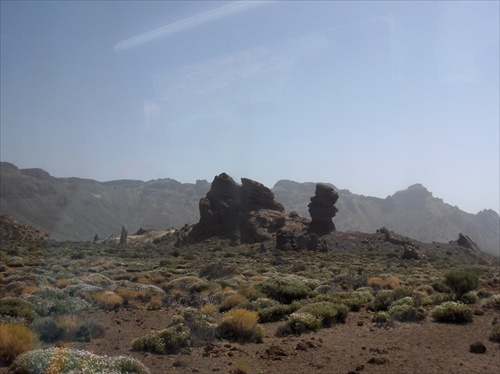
<point>65,361</point>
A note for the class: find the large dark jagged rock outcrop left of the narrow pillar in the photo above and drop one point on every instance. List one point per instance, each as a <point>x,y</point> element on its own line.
<point>244,213</point>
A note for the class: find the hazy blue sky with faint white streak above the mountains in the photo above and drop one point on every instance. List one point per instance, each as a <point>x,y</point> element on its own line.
<point>370,96</point>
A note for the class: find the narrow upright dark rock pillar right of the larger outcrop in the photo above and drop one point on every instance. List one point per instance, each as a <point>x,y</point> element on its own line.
<point>322,210</point>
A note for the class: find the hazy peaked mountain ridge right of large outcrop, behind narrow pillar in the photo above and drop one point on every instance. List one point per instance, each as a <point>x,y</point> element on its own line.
<point>413,212</point>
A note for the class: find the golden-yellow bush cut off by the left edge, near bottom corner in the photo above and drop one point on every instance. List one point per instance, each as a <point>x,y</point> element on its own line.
<point>15,339</point>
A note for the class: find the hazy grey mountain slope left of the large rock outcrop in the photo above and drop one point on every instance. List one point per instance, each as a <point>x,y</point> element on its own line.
<point>77,209</point>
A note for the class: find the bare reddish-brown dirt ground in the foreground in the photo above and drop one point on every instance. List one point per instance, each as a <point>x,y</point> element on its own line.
<point>354,347</point>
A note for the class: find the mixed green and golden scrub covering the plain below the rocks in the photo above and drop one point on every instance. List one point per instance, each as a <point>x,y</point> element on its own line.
<point>217,292</point>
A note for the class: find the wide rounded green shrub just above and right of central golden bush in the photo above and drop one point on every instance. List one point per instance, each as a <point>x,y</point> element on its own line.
<point>285,290</point>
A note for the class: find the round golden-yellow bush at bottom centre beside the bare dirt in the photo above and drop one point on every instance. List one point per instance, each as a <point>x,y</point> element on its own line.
<point>240,325</point>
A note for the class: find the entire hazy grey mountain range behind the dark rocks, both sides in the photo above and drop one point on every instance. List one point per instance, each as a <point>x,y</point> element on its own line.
<point>77,209</point>
